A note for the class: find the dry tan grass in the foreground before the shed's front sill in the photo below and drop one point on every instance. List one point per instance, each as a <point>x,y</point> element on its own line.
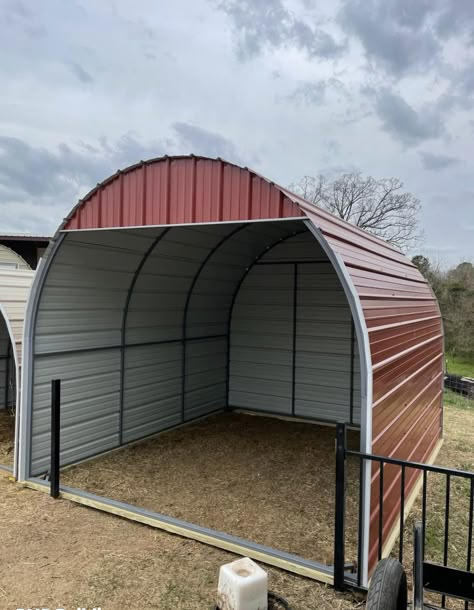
<point>59,554</point>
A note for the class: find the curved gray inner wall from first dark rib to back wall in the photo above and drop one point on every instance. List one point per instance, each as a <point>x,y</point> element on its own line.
<point>173,275</point>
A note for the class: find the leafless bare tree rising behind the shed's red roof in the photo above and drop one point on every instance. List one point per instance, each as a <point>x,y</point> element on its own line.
<point>379,206</point>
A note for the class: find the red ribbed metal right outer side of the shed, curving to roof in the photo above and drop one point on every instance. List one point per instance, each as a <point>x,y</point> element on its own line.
<point>405,334</point>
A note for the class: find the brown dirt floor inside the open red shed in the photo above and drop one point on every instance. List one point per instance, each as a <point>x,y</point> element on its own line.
<point>264,479</point>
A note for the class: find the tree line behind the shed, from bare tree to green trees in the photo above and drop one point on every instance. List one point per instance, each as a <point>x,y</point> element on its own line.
<point>384,208</point>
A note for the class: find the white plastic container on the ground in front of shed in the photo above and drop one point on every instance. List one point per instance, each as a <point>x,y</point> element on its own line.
<point>243,585</point>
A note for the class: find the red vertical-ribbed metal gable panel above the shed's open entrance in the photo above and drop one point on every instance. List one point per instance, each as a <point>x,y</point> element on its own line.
<point>177,190</point>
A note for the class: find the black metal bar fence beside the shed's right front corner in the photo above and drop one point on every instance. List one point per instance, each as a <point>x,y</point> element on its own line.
<point>410,472</point>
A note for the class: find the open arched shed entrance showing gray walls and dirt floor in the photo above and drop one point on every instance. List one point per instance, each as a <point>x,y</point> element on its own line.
<point>170,325</point>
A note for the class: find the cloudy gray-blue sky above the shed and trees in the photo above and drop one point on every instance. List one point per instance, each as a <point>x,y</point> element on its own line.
<point>287,87</point>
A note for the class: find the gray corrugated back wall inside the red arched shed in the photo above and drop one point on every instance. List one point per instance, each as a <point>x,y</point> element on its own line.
<point>292,346</point>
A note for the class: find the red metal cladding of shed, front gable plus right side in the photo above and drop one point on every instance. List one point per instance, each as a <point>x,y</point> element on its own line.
<point>400,311</point>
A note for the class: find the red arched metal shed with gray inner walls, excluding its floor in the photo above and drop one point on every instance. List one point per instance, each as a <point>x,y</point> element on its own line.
<point>186,285</point>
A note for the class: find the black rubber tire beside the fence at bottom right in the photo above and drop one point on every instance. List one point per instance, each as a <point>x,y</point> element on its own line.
<point>388,587</point>
